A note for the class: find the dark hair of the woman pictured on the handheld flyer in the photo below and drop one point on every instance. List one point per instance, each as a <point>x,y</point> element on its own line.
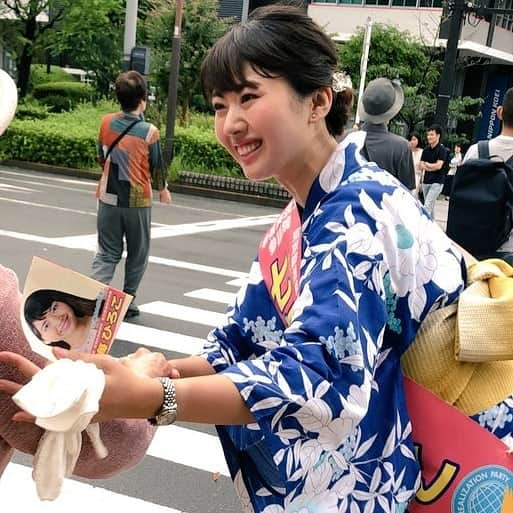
<point>39,302</point>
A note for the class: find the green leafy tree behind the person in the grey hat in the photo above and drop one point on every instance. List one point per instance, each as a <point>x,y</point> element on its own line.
<point>397,54</point>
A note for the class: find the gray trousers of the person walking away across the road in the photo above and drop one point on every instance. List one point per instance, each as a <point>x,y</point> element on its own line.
<point>113,224</point>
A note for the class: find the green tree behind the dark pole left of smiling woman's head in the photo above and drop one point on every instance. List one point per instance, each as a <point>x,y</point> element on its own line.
<point>201,27</point>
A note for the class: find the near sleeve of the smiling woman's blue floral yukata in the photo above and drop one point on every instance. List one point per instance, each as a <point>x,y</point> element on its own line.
<point>316,381</point>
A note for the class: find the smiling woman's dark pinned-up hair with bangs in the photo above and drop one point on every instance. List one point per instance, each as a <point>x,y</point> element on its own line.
<point>277,41</point>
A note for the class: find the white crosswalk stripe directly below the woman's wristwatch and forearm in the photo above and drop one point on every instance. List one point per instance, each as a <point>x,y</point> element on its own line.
<point>190,448</point>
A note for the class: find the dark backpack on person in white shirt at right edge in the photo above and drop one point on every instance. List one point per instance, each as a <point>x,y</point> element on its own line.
<point>480,216</point>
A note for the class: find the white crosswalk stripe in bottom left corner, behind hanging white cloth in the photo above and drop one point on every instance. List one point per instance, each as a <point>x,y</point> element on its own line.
<point>75,496</point>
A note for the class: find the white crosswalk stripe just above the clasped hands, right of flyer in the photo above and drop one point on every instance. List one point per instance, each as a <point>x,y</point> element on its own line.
<point>161,339</point>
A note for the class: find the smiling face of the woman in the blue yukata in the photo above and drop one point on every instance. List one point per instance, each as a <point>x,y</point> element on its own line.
<point>264,126</point>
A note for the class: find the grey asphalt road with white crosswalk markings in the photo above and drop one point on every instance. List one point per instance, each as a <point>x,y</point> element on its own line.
<point>201,248</point>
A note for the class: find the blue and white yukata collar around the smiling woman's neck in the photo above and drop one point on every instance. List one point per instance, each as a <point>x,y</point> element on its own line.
<point>333,172</point>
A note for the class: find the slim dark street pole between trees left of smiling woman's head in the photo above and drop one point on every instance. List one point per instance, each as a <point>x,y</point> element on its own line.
<point>174,69</point>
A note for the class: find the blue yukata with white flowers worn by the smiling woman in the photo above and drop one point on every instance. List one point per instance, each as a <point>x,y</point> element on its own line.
<point>332,431</point>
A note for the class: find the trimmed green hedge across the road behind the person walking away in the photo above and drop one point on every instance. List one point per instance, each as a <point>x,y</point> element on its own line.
<point>69,140</point>
